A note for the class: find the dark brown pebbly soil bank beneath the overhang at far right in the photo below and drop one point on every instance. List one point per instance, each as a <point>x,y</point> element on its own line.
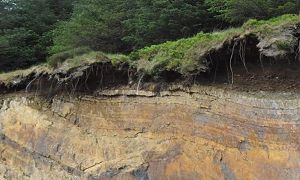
<point>276,77</point>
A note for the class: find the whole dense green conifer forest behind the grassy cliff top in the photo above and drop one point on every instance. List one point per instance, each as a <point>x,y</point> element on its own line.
<point>32,30</point>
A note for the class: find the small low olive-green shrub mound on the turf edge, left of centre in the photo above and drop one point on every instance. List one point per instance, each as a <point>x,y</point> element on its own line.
<point>59,58</point>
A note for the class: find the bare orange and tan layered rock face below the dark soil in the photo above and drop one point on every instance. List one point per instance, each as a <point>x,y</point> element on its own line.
<point>205,133</point>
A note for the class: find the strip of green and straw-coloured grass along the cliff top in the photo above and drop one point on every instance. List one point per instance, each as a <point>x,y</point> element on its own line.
<point>184,56</point>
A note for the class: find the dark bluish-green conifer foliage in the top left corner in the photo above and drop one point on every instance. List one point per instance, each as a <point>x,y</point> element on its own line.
<point>24,30</point>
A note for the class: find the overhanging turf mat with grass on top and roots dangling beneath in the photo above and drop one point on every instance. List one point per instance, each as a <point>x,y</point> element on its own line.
<point>277,39</point>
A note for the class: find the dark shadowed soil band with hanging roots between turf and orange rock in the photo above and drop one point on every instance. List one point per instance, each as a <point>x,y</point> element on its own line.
<point>240,63</point>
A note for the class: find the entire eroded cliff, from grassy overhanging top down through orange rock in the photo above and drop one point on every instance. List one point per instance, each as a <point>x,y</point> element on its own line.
<point>234,116</point>
